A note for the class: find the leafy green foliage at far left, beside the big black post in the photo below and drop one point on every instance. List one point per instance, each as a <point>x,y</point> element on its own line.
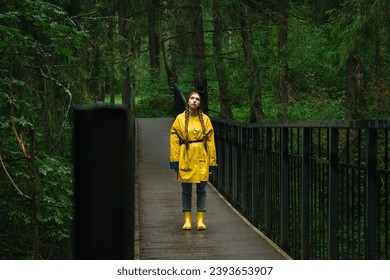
<point>37,37</point>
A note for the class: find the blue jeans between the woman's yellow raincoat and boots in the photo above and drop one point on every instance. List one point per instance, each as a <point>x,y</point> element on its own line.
<point>186,196</point>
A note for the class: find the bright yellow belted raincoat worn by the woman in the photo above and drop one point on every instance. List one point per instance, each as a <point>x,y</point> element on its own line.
<point>195,162</point>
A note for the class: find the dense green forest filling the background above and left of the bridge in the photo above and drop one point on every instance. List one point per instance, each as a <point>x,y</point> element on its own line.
<point>252,60</point>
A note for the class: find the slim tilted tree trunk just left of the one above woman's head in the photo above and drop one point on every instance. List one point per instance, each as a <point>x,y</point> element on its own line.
<point>166,47</point>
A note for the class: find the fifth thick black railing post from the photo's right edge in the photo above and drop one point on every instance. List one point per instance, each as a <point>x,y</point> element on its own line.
<point>268,182</point>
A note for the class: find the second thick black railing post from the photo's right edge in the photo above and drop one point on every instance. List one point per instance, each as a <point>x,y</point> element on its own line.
<point>333,207</point>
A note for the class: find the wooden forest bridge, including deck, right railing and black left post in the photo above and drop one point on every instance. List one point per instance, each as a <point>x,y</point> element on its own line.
<point>317,190</point>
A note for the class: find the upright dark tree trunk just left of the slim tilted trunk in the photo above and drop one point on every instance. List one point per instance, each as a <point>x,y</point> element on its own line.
<point>154,44</point>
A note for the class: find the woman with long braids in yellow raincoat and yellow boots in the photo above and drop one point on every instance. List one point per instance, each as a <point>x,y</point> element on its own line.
<point>193,156</point>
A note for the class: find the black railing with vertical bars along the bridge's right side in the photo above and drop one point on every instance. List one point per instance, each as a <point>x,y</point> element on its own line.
<point>318,190</point>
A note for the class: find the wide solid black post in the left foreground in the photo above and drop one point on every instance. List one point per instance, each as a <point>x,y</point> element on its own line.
<point>103,193</point>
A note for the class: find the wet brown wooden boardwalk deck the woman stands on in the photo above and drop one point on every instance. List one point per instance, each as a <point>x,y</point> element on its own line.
<point>159,217</point>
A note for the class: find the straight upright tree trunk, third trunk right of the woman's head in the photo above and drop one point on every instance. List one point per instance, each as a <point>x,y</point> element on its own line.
<point>282,45</point>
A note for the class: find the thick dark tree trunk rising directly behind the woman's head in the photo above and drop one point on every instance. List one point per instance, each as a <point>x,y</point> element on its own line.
<point>198,54</point>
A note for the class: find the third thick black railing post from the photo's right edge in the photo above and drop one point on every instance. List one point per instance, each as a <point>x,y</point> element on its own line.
<point>306,156</point>
